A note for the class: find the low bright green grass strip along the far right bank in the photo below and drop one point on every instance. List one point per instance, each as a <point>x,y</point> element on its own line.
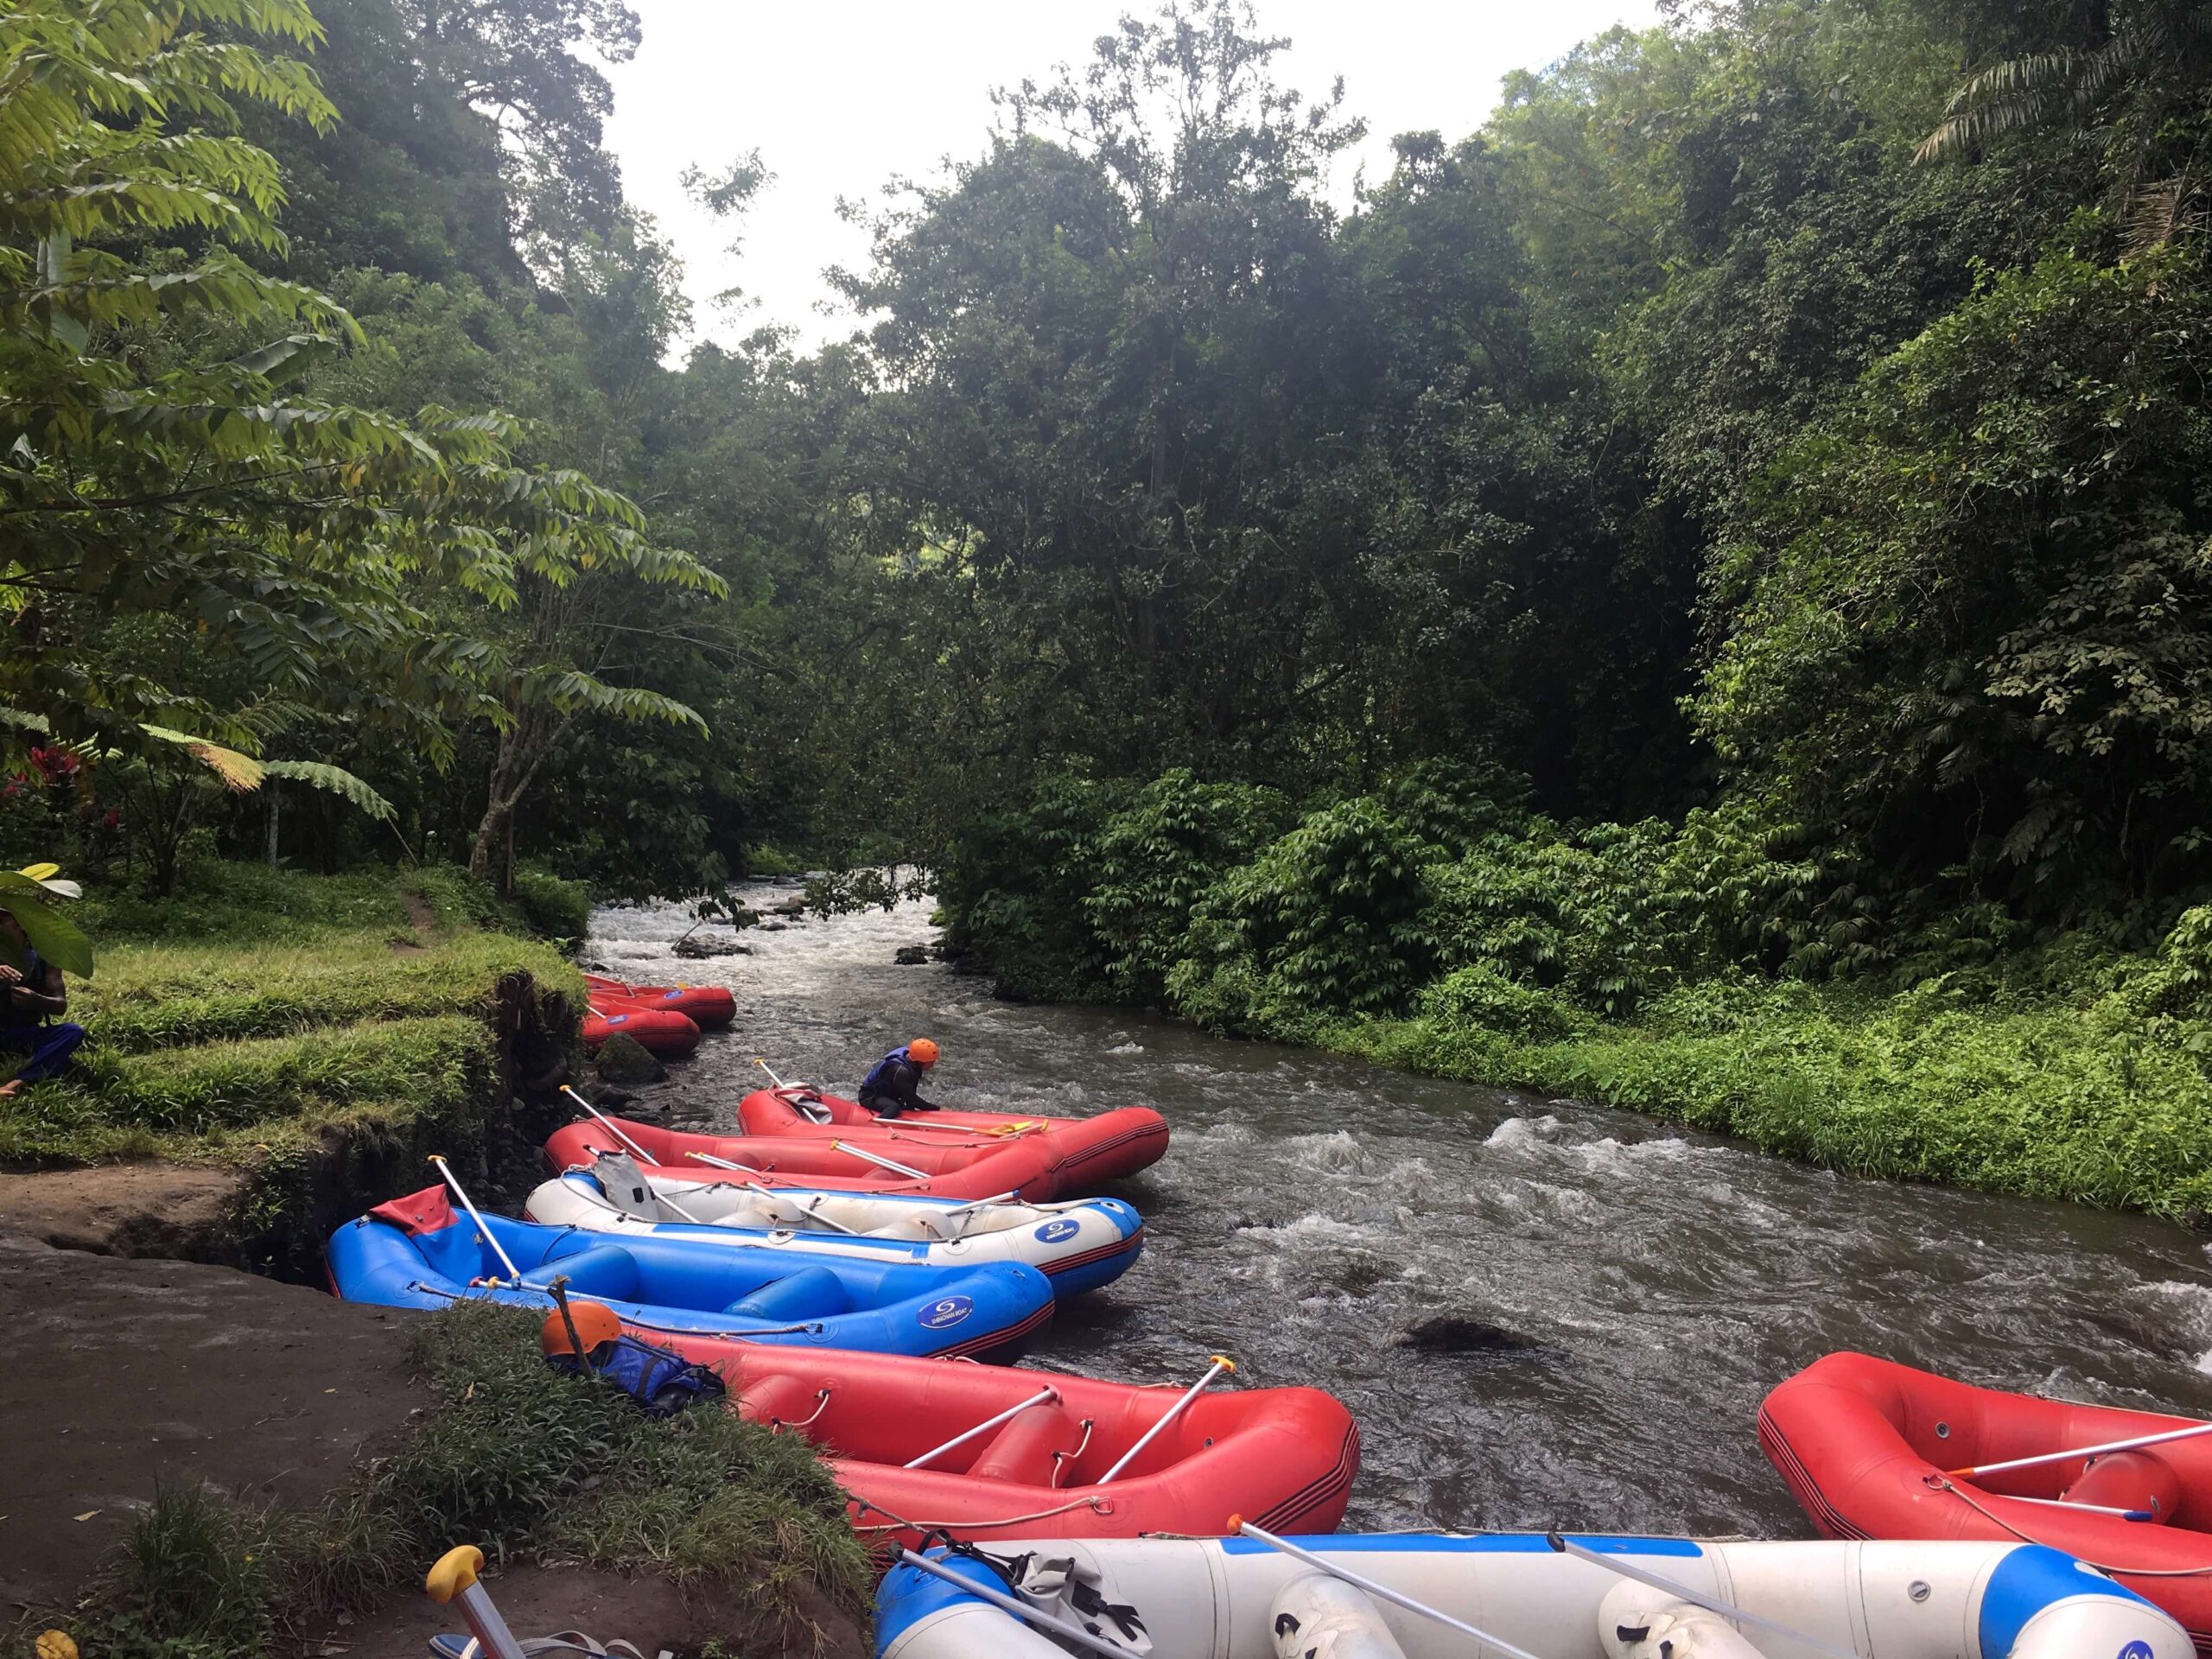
<point>2083,1098</point>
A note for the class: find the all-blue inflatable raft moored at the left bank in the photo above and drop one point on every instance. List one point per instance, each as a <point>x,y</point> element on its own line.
<point>417,1253</point>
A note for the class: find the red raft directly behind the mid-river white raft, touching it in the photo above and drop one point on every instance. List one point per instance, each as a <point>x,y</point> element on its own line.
<point>941,1167</point>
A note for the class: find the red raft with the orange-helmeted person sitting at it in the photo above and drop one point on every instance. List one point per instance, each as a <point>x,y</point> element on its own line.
<point>1085,1149</point>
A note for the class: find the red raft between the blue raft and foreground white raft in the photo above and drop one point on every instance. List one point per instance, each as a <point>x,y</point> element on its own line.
<point>1277,1457</point>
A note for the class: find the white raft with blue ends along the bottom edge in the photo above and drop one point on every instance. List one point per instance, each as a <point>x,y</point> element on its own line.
<point>1242,1600</point>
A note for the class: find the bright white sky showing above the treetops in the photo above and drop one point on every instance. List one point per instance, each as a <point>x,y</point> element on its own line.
<point>842,96</point>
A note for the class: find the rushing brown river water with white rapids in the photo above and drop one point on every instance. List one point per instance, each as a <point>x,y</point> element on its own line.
<point>1543,1313</point>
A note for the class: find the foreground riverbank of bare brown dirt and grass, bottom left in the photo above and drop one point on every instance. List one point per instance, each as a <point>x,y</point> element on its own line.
<point>211,1463</point>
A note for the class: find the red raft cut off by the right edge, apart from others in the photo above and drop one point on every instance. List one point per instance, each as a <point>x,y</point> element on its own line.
<point>1877,1450</point>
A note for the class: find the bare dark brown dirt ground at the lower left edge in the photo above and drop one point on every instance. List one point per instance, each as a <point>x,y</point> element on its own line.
<point>127,1373</point>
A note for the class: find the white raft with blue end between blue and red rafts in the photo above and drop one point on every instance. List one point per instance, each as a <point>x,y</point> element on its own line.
<point>1078,1244</point>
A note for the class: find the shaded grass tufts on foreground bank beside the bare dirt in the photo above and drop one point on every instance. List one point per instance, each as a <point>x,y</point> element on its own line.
<point>528,1465</point>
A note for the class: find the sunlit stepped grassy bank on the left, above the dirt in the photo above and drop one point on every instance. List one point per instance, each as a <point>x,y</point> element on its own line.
<point>317,1034</point>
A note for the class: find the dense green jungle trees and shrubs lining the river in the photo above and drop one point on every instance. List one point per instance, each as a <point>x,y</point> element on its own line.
<point>1735,519</point>
